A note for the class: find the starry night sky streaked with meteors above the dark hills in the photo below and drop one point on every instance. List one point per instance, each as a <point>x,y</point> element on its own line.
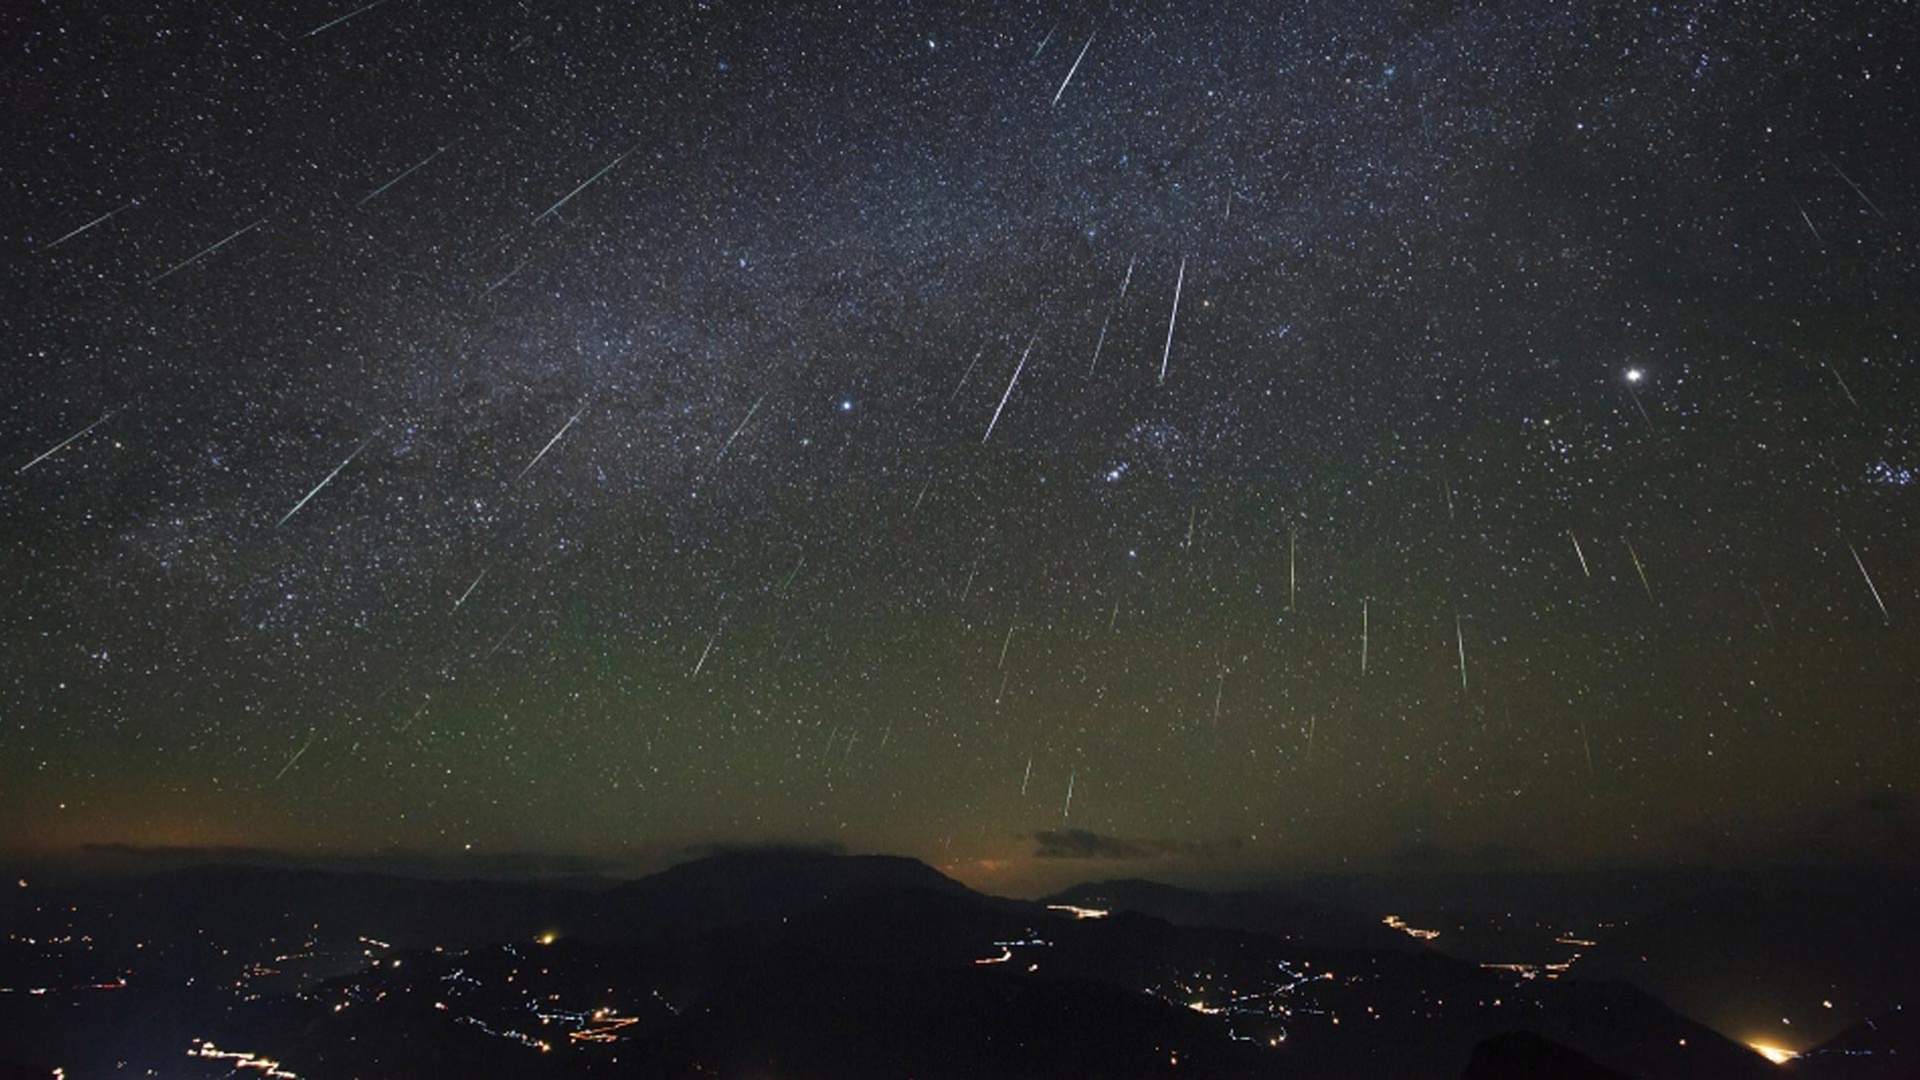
<point>1420,433</point>
